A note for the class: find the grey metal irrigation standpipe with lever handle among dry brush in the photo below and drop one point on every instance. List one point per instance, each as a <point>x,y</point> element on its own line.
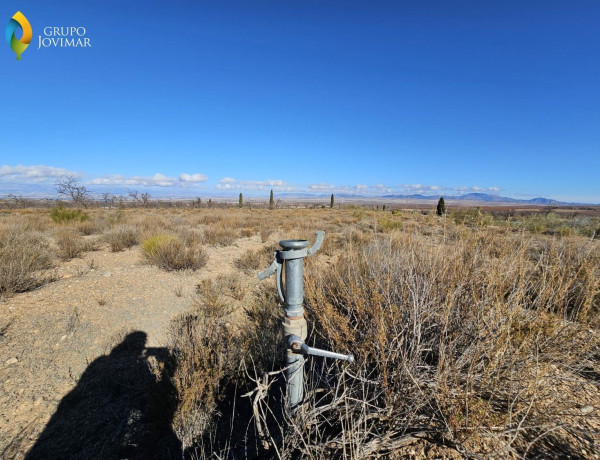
<point>292,256</point>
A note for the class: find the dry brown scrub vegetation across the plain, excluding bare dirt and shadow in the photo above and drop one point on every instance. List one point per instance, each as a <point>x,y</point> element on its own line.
<point>476,335</point>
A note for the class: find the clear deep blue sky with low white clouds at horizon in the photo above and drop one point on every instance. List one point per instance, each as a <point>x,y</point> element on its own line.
<point>209,97</point>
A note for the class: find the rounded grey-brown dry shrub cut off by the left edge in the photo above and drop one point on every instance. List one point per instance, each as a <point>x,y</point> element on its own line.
<point>24,255</point>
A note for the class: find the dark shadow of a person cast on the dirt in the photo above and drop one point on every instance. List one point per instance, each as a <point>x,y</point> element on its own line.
<point>119,409</point>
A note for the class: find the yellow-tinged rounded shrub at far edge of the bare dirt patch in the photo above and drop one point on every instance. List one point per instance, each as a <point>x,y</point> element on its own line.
<point>170,252</point>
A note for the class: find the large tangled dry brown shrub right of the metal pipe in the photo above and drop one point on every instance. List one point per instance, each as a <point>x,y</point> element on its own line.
<point>460,343</point>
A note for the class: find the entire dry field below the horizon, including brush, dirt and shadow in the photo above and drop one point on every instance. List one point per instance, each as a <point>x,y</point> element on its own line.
<point>144,333</point>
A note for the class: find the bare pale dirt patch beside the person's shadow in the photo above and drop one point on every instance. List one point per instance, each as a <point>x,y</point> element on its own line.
<point>50,336</point>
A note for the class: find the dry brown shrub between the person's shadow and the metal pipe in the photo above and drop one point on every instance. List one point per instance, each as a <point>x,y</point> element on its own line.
<point>211,358</point>
